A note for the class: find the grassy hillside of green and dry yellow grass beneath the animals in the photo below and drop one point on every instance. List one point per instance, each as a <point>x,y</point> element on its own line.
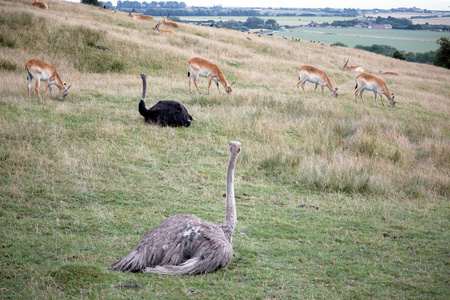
<point>335,199</point>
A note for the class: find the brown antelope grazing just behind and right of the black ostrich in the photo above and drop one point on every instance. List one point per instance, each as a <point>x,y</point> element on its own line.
<point>201,67</point>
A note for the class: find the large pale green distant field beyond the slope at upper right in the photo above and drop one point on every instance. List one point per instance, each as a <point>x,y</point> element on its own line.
<point>407,40</point>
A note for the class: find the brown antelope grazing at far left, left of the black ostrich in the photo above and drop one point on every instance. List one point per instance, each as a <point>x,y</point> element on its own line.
<point>41,71</point>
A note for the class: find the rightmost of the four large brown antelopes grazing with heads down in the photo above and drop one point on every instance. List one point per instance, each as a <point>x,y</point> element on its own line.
<point>369,82</point>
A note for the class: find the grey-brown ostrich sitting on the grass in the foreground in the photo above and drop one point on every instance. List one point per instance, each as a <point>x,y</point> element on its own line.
<point>186,244</point>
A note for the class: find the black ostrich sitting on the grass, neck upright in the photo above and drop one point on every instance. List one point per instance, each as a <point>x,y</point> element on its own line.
<point>165,112</point>
